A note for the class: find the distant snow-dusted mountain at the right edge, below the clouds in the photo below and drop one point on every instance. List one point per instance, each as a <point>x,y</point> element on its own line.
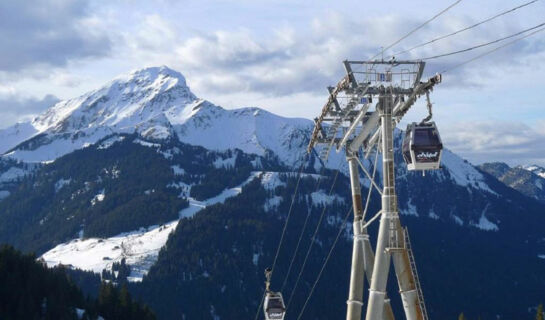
<point>529,180</point>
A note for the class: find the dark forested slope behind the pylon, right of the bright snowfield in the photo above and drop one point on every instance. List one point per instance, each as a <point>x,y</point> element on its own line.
<point>213,264</point>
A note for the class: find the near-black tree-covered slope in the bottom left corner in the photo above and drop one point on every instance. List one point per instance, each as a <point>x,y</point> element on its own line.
<point>29,290</point>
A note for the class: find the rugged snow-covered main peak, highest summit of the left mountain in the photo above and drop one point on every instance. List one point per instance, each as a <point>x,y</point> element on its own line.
<point>123,102</point>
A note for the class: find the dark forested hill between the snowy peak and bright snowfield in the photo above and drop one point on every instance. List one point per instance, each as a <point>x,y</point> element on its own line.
<point>101,191</point>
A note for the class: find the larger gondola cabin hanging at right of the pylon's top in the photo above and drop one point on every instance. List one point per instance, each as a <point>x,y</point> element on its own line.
<point>422,146</point>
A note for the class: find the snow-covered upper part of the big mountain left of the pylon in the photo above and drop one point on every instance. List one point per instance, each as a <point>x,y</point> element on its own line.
<point>157,104</point>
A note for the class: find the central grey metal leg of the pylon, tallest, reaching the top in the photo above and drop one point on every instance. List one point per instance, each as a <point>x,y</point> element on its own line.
<point>377,291</point>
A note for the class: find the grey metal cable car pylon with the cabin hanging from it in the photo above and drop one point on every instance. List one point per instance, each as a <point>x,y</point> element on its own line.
<point>348,122</point>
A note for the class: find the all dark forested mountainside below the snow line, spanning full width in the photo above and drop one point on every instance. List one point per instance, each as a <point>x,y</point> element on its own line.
<point>469,240</point>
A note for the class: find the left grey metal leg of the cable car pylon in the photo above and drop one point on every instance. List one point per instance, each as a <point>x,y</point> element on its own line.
<point>355,295</point>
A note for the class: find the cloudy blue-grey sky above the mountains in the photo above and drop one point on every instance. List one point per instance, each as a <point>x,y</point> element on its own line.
<point>280,55</point>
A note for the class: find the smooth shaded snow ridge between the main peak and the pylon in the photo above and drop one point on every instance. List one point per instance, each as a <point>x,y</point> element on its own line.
<point>252,130</point>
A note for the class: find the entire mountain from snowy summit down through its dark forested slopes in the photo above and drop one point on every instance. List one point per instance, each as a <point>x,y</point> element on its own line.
<point>192,196</point>
